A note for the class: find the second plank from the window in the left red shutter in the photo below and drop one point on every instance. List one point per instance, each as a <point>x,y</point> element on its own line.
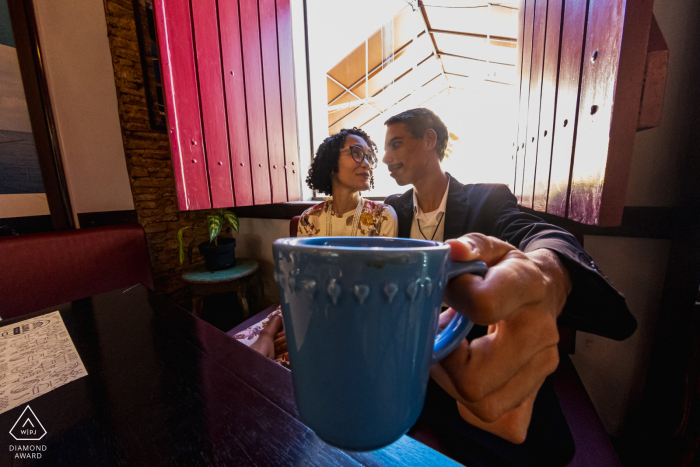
<point>273,100</point>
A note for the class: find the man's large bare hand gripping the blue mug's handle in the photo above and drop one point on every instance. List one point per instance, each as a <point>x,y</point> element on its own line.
<point>495,378</point>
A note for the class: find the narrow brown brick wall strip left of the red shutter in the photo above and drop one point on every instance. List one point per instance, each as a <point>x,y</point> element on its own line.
<point>148,157</point>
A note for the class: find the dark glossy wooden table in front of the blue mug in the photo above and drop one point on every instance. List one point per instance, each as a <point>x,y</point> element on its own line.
<point>165,388</point>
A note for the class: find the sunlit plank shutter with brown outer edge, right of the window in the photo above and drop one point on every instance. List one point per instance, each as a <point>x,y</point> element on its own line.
<point>581,81</point>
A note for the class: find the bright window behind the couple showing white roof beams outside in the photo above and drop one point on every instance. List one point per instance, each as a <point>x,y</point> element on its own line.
<point>370,60</point>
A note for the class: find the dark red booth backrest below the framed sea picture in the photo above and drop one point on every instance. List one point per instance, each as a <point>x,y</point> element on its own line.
<point>45,269</point>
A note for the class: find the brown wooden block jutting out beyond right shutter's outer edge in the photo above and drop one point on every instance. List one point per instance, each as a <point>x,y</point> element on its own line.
<point>654,79</point>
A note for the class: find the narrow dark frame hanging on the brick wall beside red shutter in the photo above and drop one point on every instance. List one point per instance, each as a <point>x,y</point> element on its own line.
<point>150,62</point>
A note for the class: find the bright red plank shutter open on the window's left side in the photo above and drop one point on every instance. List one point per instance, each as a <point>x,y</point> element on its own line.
<point>228,78</point>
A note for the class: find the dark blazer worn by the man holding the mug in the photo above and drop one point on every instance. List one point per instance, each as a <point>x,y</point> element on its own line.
<point>593,306</point>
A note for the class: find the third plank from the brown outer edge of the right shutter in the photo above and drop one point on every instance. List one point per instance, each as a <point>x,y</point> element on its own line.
<point>550,77</point>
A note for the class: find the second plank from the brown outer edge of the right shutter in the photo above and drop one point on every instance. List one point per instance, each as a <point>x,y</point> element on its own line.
<point>572,36</point>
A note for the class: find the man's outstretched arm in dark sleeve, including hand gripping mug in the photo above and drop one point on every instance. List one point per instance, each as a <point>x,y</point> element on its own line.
<point>535,272</point>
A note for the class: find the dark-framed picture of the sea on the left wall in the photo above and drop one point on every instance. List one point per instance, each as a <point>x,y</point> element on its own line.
<point>33,189</point>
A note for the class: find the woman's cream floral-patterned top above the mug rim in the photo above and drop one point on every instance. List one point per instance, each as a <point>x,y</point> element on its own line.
<point>376,220</point>
